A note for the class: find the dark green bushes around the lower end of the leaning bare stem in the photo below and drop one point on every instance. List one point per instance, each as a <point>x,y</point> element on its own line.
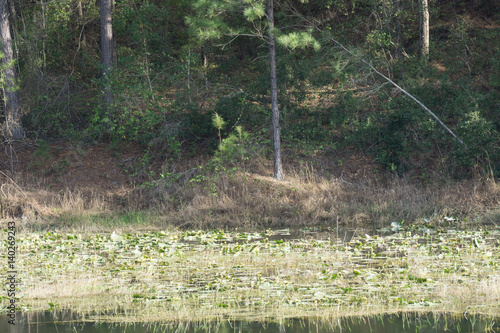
<point>402,137</point>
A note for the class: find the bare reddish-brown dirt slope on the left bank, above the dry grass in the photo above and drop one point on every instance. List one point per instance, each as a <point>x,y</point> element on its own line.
<point>67,166</point>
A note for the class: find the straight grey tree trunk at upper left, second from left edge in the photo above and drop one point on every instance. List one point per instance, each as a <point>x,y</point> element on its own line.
<point>106,51</point>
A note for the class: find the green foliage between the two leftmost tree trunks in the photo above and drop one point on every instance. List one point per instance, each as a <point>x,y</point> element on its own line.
<point>55,64</point>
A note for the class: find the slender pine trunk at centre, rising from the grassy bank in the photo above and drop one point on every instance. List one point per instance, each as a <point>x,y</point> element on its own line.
<point>278,167</point>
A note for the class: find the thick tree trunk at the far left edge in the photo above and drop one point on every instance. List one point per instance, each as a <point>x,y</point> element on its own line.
<point>13,126</point>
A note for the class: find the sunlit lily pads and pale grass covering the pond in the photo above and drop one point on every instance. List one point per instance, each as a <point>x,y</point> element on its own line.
<point>205,275</point>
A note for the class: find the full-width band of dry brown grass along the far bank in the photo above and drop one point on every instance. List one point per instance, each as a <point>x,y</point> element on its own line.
<point>247,198</point>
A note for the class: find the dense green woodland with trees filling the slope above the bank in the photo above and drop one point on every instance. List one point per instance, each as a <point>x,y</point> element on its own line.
<point>412,85</point>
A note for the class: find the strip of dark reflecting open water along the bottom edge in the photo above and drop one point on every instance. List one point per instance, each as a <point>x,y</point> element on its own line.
<point>67,322</point>
